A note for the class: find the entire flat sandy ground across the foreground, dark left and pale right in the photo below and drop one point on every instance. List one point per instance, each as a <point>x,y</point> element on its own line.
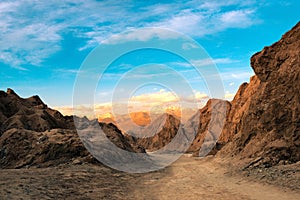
<point>187,178</point>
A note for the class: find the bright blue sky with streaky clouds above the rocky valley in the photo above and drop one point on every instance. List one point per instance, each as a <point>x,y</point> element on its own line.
<point>44,44</point>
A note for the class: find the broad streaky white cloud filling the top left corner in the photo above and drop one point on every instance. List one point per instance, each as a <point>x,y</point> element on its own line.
<point>32,31</point>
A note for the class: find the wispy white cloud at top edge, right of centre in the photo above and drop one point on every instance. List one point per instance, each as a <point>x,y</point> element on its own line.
<point>210,18</point>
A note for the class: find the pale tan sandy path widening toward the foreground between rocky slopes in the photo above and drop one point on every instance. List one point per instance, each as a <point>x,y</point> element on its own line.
<point>192,178</point>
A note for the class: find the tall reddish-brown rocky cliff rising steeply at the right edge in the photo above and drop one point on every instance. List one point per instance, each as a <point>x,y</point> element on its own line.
<point>262,125</point>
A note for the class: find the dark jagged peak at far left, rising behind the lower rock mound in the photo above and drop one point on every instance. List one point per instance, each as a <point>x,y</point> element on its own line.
<point>30,113</point>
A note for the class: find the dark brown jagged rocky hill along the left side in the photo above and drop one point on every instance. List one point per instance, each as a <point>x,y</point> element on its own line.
<point>34,135</point>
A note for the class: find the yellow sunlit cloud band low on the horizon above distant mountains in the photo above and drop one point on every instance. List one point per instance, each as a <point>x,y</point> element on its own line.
<point>159,100</point>
